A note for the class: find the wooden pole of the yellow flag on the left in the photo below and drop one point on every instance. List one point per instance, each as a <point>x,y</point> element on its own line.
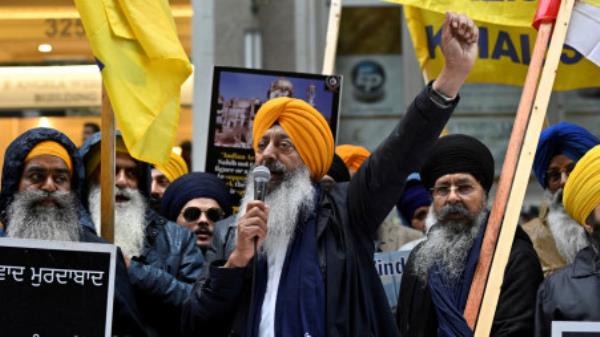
<point>107,170</point>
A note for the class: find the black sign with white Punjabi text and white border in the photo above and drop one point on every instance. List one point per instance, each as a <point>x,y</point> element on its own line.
<point>51,288</point>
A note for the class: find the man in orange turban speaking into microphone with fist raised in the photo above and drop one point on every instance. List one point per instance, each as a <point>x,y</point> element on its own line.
<point>313,274</point>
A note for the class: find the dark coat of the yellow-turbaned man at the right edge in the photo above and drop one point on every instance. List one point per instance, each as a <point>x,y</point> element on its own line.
<point>570,294</point>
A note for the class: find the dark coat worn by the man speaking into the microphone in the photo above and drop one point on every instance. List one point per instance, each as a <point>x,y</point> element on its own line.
<point>348,218</point>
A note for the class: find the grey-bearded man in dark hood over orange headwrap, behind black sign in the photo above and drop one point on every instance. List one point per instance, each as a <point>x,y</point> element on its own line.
<point>42,179</point>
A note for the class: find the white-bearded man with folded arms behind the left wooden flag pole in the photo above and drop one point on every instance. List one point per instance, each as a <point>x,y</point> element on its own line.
<point>162,258</point>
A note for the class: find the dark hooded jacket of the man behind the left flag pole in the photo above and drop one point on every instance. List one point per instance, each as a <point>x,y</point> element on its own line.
<point>170,263</point>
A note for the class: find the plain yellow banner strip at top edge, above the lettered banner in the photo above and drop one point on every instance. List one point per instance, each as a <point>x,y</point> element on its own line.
<point>502,12</point>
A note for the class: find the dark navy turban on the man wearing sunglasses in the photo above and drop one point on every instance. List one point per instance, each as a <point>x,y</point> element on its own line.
<point>191,186</point>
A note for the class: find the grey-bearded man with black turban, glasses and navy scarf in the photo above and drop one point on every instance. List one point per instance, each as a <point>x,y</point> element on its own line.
<point>438,273</point>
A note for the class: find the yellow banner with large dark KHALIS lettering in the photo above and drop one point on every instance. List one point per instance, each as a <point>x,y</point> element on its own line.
<point>504,53</point>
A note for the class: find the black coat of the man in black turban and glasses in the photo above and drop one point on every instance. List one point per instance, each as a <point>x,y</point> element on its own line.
<point>416,315</point>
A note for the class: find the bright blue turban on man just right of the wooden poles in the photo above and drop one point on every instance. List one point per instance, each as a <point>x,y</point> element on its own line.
<point>563,138</point>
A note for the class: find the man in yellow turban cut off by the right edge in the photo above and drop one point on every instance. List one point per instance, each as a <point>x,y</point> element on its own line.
<point>572,293</point>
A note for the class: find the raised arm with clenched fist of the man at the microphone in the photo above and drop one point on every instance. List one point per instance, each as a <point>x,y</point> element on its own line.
<point>378,184</point>
